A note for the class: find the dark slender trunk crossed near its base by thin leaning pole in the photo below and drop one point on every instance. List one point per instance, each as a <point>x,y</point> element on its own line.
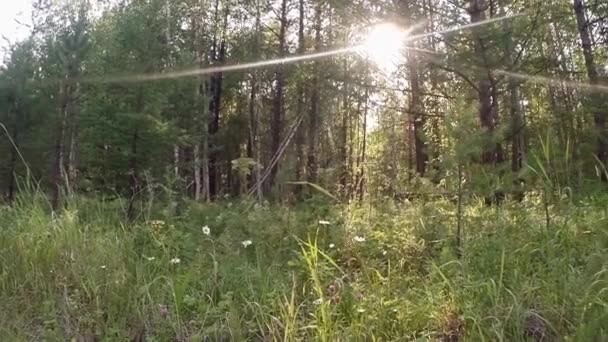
<point>276,123</point>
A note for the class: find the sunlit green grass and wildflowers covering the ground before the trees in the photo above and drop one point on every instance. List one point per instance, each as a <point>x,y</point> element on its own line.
<point>313,271</point>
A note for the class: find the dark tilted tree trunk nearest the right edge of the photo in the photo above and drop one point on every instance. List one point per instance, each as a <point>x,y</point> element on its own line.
<point>597,99</point>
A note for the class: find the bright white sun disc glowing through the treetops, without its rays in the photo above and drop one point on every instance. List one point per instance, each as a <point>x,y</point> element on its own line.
<point>383,45</point>
